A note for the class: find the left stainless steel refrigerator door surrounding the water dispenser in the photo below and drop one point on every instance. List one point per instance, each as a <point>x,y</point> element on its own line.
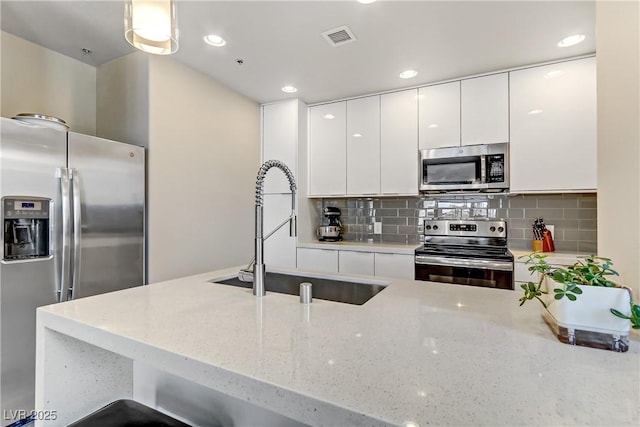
<point>31,158</point>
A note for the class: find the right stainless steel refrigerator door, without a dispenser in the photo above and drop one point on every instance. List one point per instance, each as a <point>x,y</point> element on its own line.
<point>108,188</point>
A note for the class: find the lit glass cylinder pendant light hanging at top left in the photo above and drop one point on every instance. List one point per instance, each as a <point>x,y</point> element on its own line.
<point>151,25</point>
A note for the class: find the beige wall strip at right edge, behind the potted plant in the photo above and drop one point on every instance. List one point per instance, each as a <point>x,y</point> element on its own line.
<point>618,65</point>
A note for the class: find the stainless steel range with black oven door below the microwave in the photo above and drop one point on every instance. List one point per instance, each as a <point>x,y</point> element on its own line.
<point>465,252</point>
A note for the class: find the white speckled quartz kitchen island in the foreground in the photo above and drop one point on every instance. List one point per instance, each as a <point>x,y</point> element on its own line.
<point>417,353</point>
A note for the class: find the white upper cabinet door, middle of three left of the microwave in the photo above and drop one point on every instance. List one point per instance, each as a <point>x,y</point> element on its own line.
<point>363,146</point>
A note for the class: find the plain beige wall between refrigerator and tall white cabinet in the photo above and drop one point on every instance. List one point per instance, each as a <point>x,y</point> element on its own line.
<point>203,158</point>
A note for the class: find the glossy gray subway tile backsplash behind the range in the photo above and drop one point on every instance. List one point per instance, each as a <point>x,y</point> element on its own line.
<point>573,215</point>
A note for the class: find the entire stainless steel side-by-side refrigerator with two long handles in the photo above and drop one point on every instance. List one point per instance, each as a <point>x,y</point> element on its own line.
<point>73,226</point>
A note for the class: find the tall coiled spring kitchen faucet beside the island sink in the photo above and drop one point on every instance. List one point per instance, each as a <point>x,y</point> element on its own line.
<point>258,260</point>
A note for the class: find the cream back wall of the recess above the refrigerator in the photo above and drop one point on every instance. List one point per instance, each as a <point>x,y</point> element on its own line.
<point>38,80</point>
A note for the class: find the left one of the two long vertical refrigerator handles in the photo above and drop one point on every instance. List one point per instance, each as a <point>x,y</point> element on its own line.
<point>63,266</point>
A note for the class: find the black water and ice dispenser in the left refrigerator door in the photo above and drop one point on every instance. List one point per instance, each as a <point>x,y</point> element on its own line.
<point>26,228</point>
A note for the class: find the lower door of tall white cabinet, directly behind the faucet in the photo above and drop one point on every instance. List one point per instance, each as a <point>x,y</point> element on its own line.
<point>280,248</point>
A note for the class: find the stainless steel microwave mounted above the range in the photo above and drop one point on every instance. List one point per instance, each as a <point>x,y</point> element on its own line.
<point>472,168</point>
